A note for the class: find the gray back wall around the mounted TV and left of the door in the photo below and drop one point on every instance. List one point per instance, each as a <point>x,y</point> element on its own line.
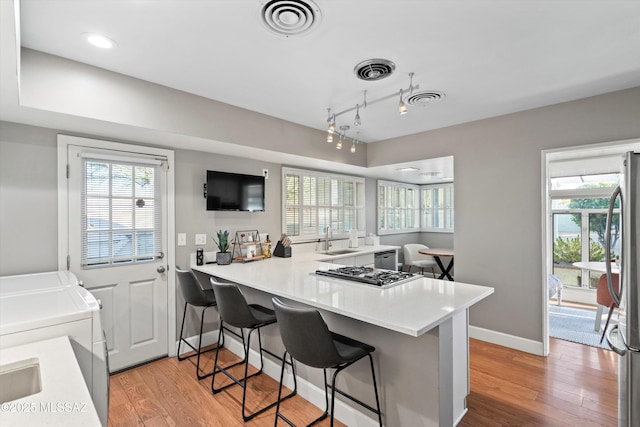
<point>29,209</point>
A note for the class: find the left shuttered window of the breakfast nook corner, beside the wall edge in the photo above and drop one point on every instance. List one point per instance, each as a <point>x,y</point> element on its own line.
<point>398,207</point>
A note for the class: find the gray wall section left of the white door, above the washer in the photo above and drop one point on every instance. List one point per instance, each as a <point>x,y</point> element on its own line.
<point>28,200</point>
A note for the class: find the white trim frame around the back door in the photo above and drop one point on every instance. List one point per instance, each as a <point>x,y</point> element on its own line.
<point>63,227</point>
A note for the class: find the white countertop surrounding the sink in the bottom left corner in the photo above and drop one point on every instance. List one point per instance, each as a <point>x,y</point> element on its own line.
<point>64,399</point>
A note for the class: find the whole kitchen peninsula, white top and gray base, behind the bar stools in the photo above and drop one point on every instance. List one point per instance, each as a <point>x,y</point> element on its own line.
<point>419,330</point>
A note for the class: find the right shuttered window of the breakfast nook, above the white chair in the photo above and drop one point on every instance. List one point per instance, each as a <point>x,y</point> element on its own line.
<point>436,209</point>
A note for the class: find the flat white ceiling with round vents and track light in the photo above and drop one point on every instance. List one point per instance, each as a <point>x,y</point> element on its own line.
<point>488,57</point>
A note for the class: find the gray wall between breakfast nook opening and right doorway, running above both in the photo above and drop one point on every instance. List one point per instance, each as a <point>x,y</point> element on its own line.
<point>498,184</point>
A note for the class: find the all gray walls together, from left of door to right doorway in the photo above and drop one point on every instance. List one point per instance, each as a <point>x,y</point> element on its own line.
<point>498,238</point>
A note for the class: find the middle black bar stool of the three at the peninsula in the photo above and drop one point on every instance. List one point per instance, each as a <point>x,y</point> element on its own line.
<point>235,311</point>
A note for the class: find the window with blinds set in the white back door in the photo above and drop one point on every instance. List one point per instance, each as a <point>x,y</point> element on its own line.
<point>121,213</point>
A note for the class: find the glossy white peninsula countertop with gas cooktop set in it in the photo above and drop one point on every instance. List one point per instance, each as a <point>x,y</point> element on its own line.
<point>412,308</point>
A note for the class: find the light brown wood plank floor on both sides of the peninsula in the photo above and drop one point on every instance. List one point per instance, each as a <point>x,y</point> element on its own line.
<point>574,386</point>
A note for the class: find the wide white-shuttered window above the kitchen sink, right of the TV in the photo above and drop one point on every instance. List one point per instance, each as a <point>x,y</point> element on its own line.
<point>314,201</point>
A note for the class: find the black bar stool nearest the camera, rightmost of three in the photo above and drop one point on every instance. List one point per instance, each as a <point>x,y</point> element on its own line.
<point>307,340</point>
